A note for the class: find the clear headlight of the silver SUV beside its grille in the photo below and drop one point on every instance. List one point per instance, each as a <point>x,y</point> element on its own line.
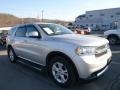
<point>84,50</point>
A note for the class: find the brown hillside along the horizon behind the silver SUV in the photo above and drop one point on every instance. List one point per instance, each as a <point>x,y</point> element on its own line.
<point>11,20</point>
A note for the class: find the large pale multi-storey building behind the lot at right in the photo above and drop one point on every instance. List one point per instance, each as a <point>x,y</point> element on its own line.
<point>99,19</point>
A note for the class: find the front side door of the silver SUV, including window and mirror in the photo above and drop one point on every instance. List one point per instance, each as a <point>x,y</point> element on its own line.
<point>33,44</point>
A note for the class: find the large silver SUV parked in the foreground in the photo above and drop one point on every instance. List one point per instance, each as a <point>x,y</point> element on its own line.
<point>66,55</point>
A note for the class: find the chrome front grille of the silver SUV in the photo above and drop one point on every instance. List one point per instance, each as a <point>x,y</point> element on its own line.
<point>101,50</point>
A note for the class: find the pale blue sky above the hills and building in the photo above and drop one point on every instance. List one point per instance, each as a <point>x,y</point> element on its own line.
<point>54,9</point>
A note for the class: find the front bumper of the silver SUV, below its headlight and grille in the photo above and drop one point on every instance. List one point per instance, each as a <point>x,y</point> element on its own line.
<point>89,67</point>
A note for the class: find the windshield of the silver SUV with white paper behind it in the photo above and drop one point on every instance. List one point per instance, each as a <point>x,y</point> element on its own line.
<point>54,29</point>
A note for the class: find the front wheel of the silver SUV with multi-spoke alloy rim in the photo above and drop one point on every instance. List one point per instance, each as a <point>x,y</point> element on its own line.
<point>62,72</point>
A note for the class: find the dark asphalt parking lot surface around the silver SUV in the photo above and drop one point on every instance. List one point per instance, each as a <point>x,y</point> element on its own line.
<point>22,77</point>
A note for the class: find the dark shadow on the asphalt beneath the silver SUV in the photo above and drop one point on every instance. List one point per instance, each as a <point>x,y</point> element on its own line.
<point>43,76</point>
